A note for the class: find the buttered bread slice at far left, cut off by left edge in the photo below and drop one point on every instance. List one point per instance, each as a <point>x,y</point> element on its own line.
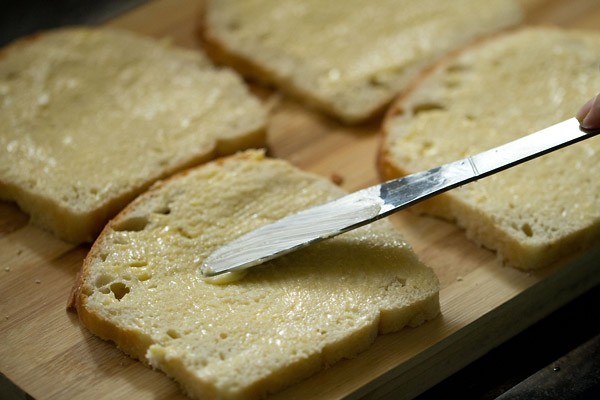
<point>91,117</point>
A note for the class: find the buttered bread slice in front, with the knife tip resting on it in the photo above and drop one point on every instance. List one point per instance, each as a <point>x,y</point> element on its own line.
<point>140,284</point>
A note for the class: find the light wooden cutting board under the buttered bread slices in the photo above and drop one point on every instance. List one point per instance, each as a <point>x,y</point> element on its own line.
<point>45,351</point>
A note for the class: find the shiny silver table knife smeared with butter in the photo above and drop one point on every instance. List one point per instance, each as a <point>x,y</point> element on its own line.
<point>367,205</point>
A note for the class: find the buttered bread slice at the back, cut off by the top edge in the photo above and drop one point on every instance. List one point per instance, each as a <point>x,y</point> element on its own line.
<point>349,58</point>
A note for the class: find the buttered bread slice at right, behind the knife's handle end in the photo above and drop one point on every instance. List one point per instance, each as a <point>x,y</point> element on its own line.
<point>507,87</point>
